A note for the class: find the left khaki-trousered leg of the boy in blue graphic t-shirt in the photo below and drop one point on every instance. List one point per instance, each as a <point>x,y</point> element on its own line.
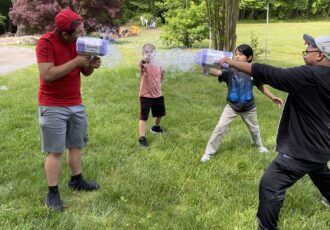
<point>227,116</point>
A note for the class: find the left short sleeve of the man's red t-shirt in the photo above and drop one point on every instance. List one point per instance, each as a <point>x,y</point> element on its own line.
<point>44,51</point>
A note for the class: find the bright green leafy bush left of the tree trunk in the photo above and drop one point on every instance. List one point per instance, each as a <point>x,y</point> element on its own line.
<point>184,26</point>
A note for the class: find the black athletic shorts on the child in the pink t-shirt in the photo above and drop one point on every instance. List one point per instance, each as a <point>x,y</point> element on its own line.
<point>157,106</point>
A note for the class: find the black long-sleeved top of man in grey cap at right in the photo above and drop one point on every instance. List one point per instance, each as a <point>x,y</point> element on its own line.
<point>304,129</point>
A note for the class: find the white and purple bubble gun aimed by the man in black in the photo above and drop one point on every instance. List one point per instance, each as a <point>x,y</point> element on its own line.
<point>210,57</point>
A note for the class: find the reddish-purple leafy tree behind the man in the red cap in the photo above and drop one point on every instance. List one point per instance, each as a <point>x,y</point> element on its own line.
<point>33,16</point>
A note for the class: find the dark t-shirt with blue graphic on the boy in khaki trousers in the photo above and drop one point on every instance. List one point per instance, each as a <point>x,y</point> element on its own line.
<point>240,89</point>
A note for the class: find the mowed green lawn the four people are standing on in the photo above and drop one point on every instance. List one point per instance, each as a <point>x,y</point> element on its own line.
<point>164,186</point>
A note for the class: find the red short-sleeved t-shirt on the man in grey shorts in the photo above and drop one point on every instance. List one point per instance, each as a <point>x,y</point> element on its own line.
<point>64,91</point>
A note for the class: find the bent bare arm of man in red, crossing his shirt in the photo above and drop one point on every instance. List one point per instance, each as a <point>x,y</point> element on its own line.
<point>49,72</point>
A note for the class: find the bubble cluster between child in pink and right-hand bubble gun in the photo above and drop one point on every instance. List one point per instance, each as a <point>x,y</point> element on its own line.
<point>174,60</point>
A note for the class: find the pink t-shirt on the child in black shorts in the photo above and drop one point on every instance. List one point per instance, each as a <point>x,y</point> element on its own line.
<point>151,81</point>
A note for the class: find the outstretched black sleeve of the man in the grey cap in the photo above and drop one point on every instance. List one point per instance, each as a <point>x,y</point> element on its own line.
<point>288,80</point>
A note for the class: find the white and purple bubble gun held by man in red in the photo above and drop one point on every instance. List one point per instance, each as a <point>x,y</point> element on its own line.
<point>91,46</point>
